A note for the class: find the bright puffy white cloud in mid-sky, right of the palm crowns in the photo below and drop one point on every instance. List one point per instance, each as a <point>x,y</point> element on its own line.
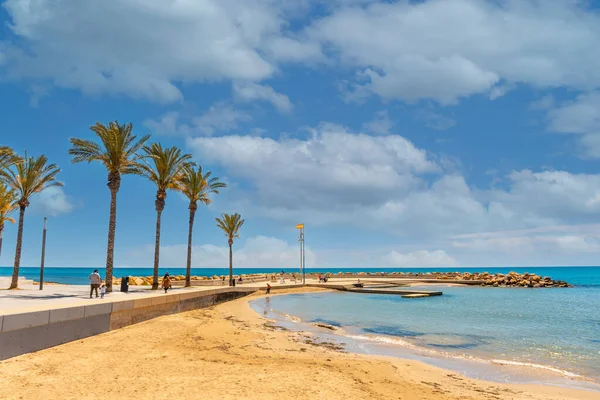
<point>331,167</point>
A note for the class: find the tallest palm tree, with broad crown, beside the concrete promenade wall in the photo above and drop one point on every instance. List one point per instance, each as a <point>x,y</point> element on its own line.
<point>118,152</point>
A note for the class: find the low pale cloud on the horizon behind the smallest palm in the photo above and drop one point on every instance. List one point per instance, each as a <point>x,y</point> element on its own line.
<point>257,252</point>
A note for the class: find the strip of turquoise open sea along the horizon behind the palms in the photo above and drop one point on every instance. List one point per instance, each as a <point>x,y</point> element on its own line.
<point>79,276</point>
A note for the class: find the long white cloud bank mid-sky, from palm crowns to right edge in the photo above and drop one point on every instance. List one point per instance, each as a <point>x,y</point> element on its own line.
<point>385,183</point>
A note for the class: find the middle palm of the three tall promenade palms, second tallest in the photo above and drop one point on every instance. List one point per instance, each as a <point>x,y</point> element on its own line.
<point>164,168</point>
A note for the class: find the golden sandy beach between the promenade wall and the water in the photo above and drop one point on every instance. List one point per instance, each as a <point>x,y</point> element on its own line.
<point>229,351</point>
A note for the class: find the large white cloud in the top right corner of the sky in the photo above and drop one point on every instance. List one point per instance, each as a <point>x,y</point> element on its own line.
<point>448,49</point>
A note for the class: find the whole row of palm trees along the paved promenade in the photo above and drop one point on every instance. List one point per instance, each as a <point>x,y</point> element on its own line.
<point>121,153</point>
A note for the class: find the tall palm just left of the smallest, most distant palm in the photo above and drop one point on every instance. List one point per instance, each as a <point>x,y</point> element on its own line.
<point>197,187</point>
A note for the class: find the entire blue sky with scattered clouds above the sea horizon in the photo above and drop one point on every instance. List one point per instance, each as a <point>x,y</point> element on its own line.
<point>401,133</point>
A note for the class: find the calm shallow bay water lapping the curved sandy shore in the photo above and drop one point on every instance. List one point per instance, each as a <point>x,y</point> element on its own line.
<point>505,334</point>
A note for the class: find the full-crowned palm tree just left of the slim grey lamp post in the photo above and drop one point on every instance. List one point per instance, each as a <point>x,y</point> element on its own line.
<point>28,177</point>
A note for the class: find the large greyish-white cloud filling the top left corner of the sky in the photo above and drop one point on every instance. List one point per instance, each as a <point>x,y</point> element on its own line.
<point>142,49</point>
